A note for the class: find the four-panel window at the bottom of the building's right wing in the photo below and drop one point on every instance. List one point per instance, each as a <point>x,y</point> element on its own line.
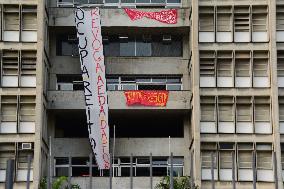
<point>243,156</point>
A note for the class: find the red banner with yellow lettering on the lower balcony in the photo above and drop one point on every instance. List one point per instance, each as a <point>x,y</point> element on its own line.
<point>147,98</point>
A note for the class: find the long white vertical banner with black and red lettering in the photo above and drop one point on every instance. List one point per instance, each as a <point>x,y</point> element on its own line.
<point>93,73</point>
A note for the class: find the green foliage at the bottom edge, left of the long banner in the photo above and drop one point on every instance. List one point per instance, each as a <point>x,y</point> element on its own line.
<point>59,183</point>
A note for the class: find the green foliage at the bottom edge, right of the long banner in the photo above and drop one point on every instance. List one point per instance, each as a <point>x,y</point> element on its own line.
<point>179,183</point>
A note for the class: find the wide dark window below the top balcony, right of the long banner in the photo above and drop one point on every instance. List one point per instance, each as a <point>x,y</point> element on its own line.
<point>143,45</point>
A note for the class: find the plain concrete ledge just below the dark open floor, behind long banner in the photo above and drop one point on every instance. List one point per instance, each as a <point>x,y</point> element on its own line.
<point>62,147</point>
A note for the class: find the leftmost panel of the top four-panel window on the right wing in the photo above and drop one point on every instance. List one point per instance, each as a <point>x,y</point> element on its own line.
<point>206,24</point>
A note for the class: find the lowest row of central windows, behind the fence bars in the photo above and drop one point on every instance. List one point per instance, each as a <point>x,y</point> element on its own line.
<point>121,166</point>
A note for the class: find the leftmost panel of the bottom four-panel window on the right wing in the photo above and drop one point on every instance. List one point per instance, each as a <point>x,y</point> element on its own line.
<point>209,151</point>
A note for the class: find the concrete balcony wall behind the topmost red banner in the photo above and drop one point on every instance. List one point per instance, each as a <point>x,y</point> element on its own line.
<point>115,18</point>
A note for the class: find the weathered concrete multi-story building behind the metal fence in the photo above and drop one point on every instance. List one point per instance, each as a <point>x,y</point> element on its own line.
<point>221,63</point>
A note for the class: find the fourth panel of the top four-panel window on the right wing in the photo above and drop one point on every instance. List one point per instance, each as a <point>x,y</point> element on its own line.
<point>259,24</point>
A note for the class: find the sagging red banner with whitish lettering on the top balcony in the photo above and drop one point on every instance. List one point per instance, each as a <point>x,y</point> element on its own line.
<point>166,16</point>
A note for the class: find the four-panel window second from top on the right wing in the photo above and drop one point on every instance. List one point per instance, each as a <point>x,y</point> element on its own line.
<point>234,69</point>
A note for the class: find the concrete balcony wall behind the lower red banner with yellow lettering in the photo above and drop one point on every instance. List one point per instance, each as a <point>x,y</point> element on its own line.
<point>178,100</point>
